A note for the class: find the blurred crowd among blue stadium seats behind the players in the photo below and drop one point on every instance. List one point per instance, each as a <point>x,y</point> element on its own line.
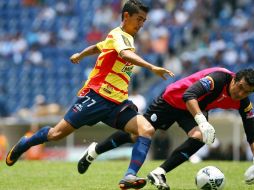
<point>184,36</point>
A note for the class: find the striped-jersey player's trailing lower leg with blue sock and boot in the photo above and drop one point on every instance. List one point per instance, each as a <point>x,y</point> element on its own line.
<point>62,129</point>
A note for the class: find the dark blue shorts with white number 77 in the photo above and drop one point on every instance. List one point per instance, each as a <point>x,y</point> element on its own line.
<point>93,108</point>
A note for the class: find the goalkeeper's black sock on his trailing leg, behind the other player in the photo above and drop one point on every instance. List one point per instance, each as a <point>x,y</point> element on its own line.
<point>115,140</point>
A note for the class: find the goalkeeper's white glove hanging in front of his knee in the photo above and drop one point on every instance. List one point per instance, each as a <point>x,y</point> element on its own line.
<point>208,132</point>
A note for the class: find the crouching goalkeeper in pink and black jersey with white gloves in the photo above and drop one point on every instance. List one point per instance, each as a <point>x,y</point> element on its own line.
<point>187,102</point>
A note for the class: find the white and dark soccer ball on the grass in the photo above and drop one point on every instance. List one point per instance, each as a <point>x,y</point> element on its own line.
<point>210,178</point>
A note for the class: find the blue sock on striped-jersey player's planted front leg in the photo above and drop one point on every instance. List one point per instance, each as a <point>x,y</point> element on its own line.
<point>139,152</point>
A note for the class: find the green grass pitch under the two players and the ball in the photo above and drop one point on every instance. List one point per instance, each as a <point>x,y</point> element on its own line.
<point>105,175</point>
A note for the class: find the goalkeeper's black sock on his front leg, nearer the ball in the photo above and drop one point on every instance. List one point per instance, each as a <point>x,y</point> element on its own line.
<point>182,153</point>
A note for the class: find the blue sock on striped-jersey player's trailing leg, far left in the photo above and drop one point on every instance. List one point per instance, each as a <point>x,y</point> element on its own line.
<point>39,137</point>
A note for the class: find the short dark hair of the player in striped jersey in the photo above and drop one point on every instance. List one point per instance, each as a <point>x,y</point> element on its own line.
<point>134,6</point>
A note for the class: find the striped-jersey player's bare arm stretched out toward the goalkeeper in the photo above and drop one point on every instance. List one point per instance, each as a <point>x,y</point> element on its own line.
<point>133,58</point>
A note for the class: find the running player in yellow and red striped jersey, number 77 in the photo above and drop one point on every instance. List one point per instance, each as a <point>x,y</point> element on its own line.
<point>104,96</point>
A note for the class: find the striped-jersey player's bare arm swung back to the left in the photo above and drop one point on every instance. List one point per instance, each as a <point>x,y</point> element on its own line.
<point>91,50</point>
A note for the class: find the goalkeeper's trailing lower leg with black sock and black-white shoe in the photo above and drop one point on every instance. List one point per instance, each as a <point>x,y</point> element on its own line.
<point>113,141</point>
